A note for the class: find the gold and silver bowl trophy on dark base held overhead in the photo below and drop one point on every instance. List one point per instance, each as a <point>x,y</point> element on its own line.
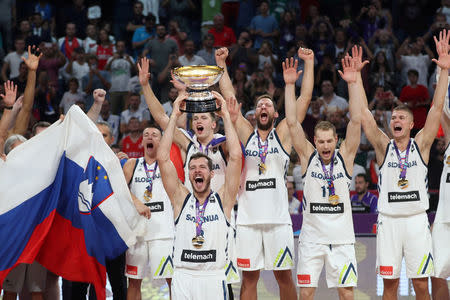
<point>198,79</point>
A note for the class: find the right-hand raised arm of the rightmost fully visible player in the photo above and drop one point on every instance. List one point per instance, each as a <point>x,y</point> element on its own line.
<point>426,135</point>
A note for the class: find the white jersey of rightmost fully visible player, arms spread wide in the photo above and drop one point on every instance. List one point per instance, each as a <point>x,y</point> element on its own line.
<point>412,200</point>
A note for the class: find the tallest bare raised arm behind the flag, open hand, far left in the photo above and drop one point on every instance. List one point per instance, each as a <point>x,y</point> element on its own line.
<point>24,116</point>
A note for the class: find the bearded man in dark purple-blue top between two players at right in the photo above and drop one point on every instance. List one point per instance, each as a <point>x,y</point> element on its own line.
<point>363,201</point>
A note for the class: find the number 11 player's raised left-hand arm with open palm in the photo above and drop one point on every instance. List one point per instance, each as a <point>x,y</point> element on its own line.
<point>301,144</point>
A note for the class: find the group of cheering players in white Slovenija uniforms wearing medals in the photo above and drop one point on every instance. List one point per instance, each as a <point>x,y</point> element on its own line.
<point>196,242</point>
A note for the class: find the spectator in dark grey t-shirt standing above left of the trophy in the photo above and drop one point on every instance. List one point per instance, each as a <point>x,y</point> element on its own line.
<point>160,49</point>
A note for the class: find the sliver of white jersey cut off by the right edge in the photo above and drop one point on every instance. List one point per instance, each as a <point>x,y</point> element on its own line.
<point>443,210</point>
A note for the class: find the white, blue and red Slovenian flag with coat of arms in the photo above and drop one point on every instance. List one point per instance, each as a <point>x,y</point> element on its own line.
<point>64,202</point>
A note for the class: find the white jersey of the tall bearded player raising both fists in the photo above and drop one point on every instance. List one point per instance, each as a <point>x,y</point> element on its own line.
<point>263,197</point>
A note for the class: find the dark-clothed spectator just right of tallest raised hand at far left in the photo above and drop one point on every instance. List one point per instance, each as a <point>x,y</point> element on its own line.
<point>52,60</point>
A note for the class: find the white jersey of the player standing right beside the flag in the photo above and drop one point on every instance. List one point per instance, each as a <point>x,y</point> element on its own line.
<point>160,225</point>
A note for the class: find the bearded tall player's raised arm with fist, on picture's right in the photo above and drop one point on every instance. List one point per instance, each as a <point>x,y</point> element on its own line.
<point>302,104</point>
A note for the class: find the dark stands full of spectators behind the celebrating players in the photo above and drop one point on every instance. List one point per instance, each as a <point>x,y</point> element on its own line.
<point>96,44</point>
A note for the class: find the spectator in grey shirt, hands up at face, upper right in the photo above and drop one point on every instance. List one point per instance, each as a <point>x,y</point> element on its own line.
<point>409,56</point>
